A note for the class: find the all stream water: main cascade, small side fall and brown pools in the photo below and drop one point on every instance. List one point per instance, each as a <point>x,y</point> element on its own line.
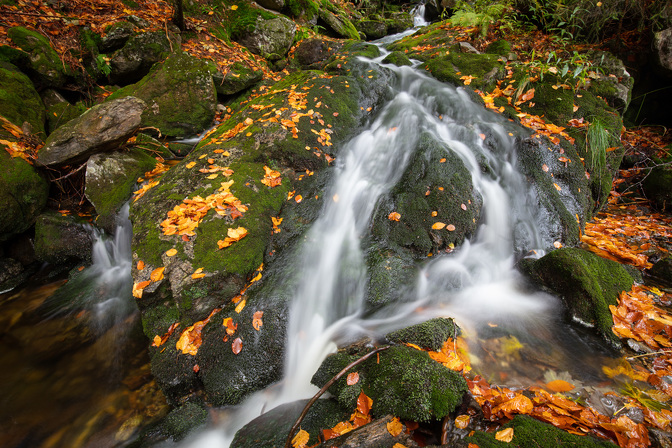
<point>476,284</point>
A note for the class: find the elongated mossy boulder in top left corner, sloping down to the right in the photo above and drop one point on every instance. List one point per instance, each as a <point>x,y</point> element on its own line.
<point>44,66</point>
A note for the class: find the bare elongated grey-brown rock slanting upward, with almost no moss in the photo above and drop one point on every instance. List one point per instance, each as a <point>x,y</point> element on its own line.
<point>101,128</point>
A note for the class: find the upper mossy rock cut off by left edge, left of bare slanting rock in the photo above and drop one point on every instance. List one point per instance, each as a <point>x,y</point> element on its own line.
<point>19,101</point>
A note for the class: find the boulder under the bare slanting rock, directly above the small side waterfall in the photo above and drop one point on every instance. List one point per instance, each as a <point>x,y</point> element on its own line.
<point>110,178</point>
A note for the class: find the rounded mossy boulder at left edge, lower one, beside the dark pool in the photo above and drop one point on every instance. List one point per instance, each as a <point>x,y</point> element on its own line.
<point>23,195</point>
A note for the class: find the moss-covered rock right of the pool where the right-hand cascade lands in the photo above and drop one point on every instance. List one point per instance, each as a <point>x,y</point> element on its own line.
<point>586,283</point>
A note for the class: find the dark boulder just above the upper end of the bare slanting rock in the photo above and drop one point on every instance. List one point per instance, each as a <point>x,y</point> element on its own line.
<point>134,60</point>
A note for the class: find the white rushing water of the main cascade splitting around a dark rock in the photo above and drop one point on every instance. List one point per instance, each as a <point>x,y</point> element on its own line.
<point>477,284</point>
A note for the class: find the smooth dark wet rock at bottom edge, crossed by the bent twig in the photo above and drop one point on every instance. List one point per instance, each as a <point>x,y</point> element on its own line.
<point>272,427</point>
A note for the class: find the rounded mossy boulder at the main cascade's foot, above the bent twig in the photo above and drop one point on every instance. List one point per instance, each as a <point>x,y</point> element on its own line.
<point>401,381</point>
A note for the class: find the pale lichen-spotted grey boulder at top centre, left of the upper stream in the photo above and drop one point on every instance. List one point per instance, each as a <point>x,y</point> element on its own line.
<point>270,38</point>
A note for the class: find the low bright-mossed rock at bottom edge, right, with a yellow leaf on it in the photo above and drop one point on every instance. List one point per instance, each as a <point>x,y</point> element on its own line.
<point>531,433</point>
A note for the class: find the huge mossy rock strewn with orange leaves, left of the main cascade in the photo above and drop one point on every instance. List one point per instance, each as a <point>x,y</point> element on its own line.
<point>241,151</point>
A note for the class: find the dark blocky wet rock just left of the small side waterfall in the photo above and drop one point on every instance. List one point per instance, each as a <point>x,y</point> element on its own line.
<point>61,239</point>
